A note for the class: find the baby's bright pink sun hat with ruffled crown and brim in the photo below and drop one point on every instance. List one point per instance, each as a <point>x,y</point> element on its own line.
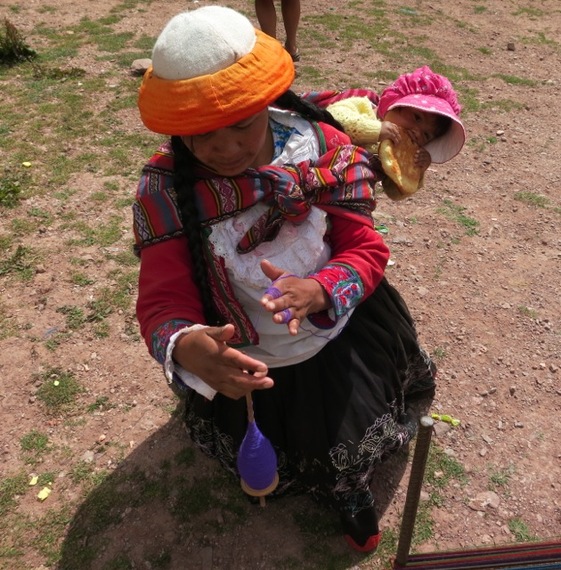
<point>427,91</point>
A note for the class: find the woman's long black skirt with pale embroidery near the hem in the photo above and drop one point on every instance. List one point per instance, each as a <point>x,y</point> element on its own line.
<point>333,418</point>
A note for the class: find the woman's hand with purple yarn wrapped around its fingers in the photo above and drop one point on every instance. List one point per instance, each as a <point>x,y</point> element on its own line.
<point>291,298</point>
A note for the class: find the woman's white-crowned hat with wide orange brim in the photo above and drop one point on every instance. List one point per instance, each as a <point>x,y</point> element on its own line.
<point>210,69</point>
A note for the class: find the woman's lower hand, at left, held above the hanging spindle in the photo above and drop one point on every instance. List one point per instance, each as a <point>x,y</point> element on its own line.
<point>225,369</point>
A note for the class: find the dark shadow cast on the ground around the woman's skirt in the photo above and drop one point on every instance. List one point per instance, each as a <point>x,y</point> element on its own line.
<point>167,506</point>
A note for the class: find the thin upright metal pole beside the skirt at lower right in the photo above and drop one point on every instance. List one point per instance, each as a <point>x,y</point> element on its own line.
<point>414,489</point>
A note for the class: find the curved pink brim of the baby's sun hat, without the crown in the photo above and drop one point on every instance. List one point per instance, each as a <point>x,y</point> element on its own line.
<point>446,147</point>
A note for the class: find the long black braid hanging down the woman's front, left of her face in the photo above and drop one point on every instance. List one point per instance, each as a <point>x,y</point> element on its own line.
<point>184,180</point>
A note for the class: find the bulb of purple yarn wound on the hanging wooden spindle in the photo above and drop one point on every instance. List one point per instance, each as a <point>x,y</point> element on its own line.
<point>257,460</point>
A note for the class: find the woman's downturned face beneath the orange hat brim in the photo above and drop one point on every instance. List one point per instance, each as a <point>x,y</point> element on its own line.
<point>229,151</point>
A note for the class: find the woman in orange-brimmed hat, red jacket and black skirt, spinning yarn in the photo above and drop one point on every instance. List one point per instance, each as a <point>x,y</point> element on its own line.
<point>261,271</point>
